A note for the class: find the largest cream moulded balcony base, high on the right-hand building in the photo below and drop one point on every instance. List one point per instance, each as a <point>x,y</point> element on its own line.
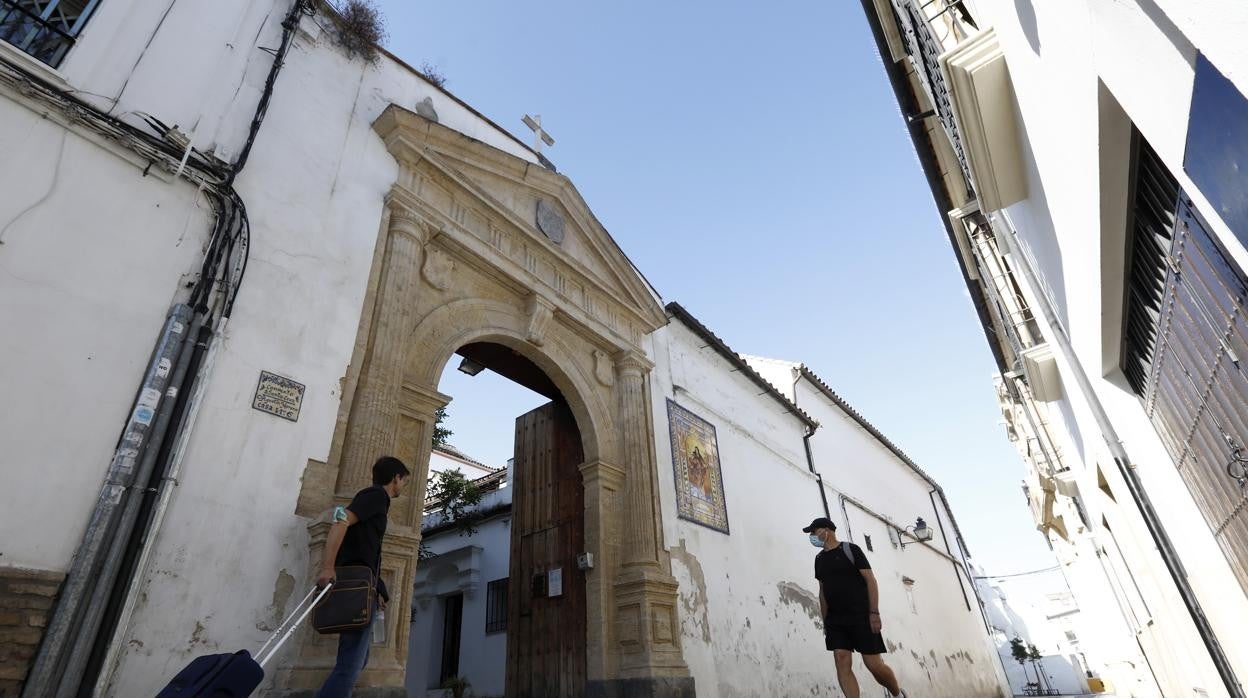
<point>984,108</point>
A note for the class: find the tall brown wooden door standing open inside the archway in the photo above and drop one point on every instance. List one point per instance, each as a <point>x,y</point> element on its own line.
<point>546,636</point>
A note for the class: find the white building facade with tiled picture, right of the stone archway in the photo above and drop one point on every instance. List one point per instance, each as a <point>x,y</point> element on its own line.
<point>751,610</point>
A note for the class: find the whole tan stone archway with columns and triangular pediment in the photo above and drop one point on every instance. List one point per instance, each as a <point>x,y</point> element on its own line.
<point>482,247</point>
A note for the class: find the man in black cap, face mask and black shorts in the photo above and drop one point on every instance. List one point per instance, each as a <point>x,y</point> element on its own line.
<point>849,601</point>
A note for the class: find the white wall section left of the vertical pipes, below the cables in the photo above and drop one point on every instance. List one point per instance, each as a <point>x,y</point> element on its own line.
<point>93,255</point>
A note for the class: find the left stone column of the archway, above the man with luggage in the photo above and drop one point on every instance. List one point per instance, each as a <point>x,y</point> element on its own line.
<point>375,411</point>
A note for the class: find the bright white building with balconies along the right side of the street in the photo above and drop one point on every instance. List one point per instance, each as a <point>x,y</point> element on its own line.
<point>1084,158</point>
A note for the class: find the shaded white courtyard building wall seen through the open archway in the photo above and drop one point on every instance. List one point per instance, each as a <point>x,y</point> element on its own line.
<point>482,656</point>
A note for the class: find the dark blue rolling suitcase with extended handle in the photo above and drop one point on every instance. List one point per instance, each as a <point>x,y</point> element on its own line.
<point>236,675</point>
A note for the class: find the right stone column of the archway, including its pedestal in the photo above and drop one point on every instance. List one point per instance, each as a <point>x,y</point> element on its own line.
<point>651,662</point>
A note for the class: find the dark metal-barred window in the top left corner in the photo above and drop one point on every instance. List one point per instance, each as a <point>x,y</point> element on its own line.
<point>46,29</point>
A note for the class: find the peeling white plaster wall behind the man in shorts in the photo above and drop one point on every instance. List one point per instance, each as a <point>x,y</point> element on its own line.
<point>749,612</point>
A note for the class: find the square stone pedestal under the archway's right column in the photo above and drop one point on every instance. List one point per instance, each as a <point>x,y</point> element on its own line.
<point>648,631</point>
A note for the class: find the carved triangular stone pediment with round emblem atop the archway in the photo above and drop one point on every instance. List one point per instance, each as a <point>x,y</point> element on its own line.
<point>525,222</point>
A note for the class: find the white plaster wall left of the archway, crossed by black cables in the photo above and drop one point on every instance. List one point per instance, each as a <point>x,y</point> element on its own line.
<point>94,254</point>
